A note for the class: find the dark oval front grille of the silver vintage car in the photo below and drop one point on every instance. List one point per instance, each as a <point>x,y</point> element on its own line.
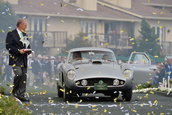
<point>108,81</point>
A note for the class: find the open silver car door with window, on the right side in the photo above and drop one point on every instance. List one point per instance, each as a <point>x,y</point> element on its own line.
<point>143,70</point>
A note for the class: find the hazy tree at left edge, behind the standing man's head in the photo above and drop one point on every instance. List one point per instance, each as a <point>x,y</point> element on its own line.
<point>7,21</point>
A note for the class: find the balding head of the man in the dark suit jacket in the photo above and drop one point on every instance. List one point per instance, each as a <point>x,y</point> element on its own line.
<point>21,24</point>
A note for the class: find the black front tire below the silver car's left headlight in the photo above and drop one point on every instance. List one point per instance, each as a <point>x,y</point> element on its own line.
<point>67,96</point>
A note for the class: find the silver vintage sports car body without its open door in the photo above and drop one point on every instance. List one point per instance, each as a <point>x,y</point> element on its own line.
<point>89,70</point>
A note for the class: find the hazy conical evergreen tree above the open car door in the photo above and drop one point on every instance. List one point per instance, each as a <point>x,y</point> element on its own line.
<point>148,42</point>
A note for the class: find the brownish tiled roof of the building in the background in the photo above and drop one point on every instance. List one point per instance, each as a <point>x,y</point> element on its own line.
<point>59,8</point>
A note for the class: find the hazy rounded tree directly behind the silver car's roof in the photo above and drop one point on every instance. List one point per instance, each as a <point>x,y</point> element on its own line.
<point>79,41</point>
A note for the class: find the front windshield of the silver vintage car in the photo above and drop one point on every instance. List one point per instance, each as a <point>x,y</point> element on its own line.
<point>103,56</point>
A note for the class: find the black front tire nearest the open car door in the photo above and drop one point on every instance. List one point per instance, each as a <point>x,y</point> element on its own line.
<point>127,95</point>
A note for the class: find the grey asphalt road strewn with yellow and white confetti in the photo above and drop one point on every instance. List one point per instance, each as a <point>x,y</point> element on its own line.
<point>141,104</point>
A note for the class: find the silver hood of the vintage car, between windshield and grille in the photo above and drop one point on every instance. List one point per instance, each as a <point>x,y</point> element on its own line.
<point>87,71</point>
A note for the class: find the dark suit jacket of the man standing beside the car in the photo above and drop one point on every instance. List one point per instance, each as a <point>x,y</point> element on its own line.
<point>13,45</point>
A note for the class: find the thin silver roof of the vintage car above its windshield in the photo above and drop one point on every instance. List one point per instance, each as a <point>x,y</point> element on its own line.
<point>90,48</point>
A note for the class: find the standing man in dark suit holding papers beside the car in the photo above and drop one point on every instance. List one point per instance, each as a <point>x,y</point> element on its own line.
<point>18,58</point>
